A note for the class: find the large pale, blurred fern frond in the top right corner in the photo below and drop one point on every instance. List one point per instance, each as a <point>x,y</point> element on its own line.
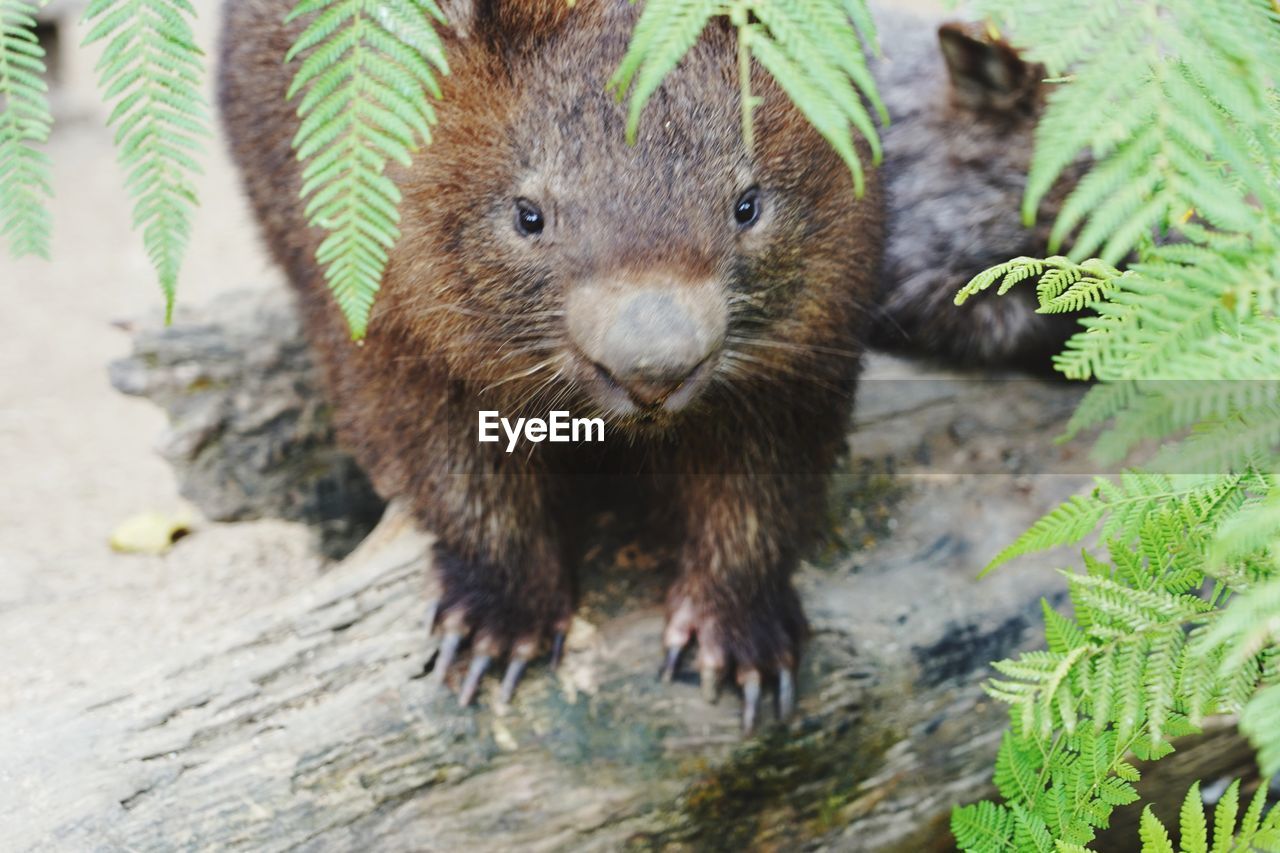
<point>1167,98</point>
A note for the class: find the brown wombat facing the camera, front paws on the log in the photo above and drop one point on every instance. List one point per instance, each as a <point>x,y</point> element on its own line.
<point>707,303</point>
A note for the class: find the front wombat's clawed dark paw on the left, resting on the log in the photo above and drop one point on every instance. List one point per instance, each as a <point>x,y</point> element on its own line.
<point>505,614</point>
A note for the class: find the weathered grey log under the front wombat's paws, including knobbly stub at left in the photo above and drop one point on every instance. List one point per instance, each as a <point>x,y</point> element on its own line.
<point>312,726</point>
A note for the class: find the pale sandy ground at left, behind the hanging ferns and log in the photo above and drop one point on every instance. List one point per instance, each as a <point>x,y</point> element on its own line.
<point>77,458</point>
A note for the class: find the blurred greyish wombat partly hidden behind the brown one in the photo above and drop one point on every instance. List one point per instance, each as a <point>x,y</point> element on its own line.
<point>964,107</point>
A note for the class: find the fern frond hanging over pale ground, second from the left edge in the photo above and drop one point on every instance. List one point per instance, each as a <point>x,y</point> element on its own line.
<point>152,70</point>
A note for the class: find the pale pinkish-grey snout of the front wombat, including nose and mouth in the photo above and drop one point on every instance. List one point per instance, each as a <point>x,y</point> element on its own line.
<point>651,341</point>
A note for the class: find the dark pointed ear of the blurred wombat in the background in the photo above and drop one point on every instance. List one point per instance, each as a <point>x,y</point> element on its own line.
<point>988,74</point>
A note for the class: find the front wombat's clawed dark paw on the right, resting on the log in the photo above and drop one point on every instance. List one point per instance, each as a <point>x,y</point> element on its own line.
<point>760,638</point>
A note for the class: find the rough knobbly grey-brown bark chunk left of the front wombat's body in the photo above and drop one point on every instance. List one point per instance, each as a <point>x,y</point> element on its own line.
<point>249,431</point>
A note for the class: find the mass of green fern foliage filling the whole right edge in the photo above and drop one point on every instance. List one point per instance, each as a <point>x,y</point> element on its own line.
<point>1174,103</point>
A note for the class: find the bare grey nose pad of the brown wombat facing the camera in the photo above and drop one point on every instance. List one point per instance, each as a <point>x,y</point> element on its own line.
<point>652,346</point>
